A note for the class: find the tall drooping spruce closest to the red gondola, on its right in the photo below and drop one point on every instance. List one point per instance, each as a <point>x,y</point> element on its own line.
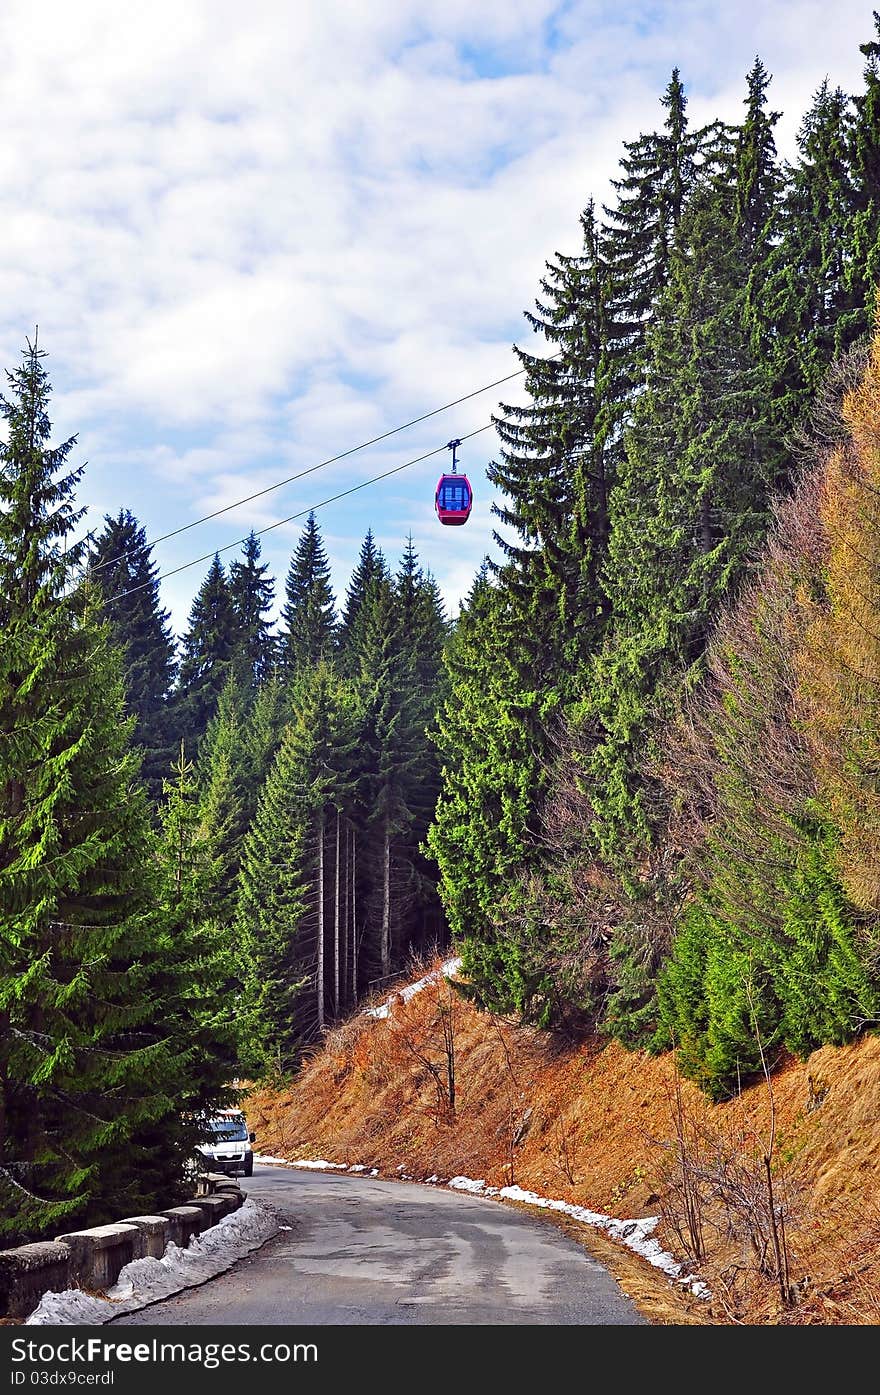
<point>546,612</point>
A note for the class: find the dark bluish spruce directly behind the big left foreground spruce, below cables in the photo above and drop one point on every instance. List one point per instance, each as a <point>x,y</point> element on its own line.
<point>123,570</point>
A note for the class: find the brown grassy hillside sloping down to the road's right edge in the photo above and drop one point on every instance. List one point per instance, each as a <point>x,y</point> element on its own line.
<point>617,1133</point>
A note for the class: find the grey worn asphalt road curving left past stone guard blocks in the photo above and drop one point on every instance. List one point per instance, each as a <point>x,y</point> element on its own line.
<point>367,1252</point>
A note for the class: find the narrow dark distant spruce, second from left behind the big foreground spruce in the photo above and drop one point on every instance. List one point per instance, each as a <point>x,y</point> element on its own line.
<point>208,652</point>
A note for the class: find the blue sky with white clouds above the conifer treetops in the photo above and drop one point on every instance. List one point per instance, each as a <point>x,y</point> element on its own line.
<point>255,236</point>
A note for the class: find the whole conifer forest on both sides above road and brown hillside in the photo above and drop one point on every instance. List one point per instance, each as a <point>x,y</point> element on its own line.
<point>632,783</point>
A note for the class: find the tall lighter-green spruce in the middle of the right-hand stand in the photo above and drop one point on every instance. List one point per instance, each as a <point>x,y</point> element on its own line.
<point>694,490</point>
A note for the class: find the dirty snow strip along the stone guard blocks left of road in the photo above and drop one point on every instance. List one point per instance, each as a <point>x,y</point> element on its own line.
<point>147,1281</point>
